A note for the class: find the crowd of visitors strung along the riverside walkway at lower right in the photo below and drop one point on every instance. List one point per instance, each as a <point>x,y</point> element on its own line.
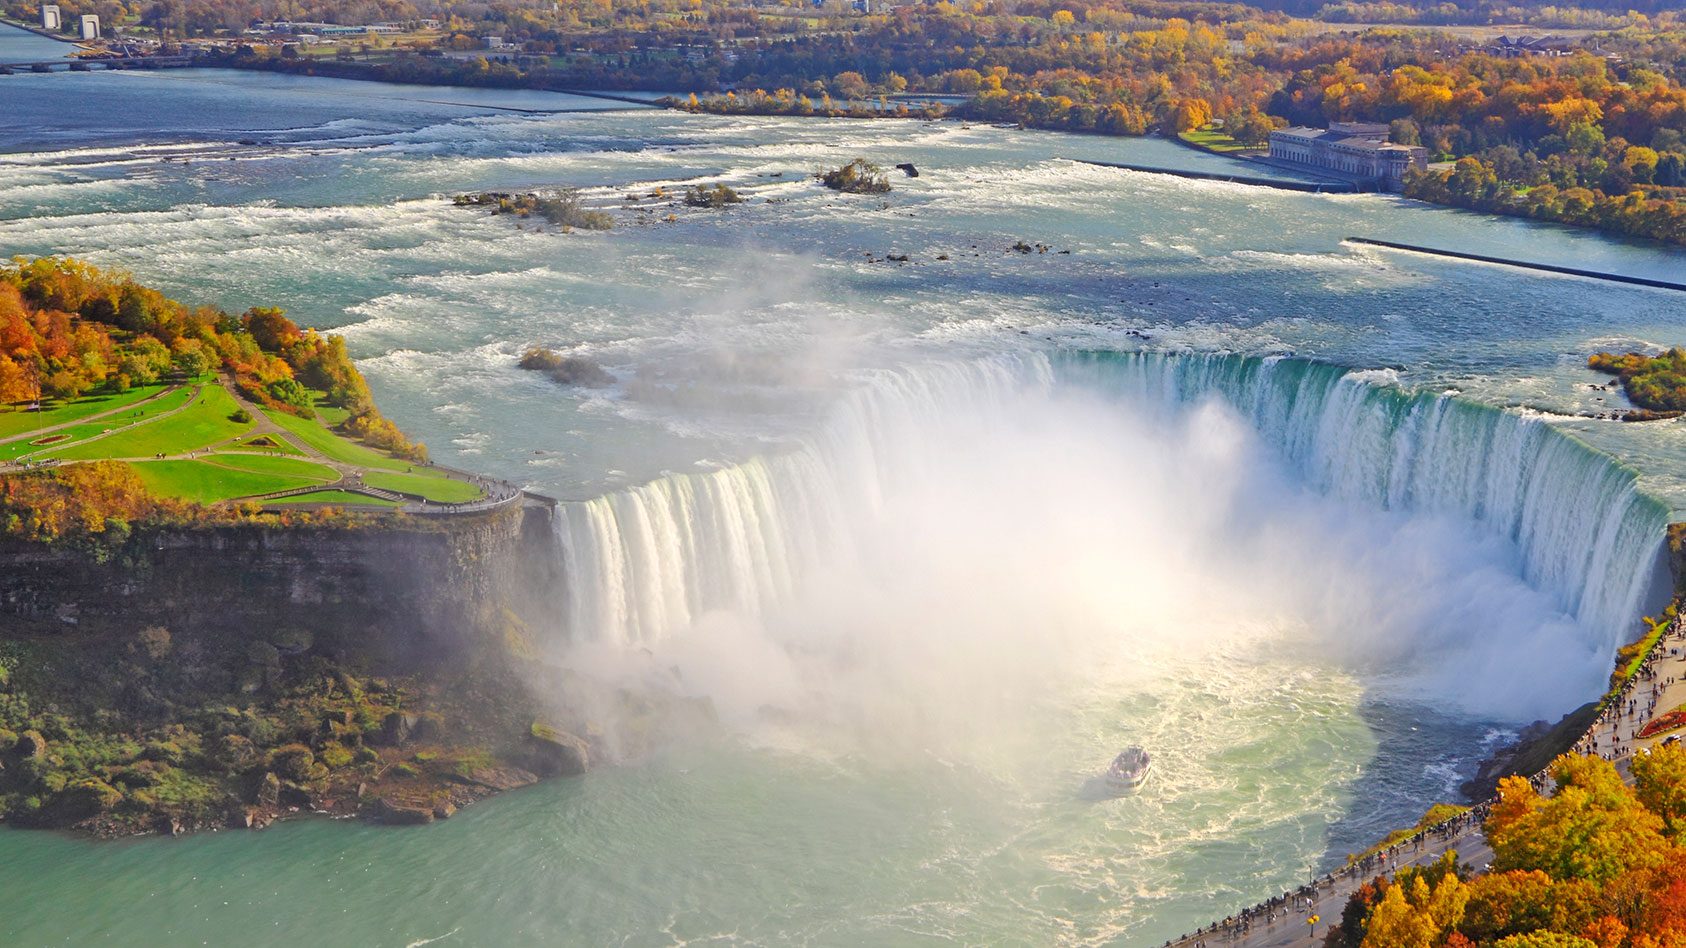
<point>1631,708</point>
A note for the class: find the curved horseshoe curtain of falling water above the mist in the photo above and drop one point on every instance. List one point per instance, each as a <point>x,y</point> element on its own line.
<point>653,559</point>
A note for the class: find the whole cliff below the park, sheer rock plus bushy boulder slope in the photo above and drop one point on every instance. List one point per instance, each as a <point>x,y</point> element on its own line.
<point>230,676</point>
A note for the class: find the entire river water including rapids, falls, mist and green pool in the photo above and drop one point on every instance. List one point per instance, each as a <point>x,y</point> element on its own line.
<point>933,539</point>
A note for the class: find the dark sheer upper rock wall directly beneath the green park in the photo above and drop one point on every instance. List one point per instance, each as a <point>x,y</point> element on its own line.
<point>400,598</point>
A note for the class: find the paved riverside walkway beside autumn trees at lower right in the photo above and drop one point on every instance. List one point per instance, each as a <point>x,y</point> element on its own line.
<point>1282,922</point>
